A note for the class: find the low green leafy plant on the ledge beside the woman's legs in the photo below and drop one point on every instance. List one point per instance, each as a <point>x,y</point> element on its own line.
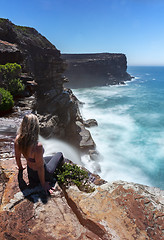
<point>70,174</point>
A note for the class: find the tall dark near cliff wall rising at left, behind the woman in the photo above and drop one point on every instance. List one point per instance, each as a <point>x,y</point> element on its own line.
<point>56,109</point>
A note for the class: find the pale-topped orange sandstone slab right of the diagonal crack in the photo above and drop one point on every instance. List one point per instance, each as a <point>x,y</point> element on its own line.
<point>121,210</point>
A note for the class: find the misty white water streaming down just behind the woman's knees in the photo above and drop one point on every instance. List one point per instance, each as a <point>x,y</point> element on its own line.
<point>53,145</point>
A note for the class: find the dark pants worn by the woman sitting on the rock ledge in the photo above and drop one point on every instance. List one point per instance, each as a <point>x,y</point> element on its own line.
<point>50,165</point>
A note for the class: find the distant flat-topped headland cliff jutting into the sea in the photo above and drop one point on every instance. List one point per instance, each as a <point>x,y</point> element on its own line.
<point>88,70</point>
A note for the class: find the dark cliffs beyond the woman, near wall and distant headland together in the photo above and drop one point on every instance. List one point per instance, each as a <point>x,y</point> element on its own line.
<point>55,105</point>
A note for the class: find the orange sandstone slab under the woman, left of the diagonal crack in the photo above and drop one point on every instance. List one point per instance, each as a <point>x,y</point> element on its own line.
<point>28,214</point>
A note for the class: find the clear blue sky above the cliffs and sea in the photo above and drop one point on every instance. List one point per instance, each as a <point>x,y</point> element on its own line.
<point>132,27</point>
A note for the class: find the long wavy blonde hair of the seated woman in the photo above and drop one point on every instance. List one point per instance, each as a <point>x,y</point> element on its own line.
<point>28,132</point>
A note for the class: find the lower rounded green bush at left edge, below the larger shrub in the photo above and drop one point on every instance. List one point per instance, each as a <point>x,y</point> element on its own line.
<point>6,102</point>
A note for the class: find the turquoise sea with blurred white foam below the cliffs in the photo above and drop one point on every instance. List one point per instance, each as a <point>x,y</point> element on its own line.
<point>130,132</point>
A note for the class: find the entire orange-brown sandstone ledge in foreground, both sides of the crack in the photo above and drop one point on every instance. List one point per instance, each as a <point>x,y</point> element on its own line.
<point>117,210</point>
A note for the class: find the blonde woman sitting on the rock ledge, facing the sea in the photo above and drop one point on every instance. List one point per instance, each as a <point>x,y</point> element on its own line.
<point>40,170</point>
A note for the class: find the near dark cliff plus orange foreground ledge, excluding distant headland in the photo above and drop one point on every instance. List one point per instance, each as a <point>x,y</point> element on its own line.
<point>117,210</point>
